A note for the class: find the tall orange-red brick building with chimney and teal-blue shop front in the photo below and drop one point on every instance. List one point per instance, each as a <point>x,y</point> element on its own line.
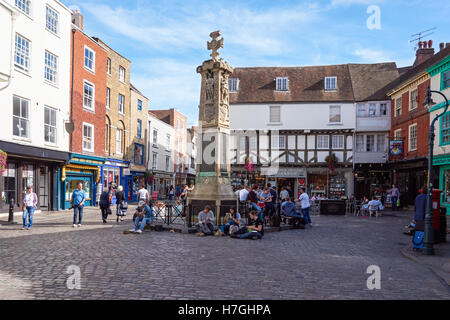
<point>88,100</point>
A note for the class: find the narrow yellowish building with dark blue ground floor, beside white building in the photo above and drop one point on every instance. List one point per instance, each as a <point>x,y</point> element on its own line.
<point>138,143</point>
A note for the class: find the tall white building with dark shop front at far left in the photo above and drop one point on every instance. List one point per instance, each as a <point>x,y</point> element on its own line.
<point>35,96</point>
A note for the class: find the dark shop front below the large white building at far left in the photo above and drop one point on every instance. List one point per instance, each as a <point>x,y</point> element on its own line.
<point>31,166</point>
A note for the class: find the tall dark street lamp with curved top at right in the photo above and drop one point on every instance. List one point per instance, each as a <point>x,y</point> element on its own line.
<point>429,239</point>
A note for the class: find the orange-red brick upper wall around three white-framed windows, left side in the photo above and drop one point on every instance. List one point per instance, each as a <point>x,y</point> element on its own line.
<point>79,114</point>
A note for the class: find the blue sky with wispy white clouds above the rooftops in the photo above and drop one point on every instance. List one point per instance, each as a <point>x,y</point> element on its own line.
<point>166,40</point>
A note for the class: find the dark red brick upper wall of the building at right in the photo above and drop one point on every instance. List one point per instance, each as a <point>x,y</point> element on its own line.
<point>420,116</point>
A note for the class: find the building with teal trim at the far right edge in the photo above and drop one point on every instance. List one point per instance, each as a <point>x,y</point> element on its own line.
<point>440,81</point>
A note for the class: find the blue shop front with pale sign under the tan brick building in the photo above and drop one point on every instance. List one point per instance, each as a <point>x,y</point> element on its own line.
<point>113,175</point>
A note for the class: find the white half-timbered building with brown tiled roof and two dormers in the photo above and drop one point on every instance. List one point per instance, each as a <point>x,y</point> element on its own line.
<point>296,126</point>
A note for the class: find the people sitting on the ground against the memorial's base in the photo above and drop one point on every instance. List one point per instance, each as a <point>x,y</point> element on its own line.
<point>234,226</point>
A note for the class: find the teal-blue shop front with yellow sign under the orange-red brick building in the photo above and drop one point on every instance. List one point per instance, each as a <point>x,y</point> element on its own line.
<point>84,169</point>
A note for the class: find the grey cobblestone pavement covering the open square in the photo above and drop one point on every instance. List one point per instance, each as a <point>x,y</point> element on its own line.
<point>327,261</point>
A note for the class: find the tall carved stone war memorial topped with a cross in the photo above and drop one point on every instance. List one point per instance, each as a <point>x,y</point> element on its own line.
<point>213,186</point>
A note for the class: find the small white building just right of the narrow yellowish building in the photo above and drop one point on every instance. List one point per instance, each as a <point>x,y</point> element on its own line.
<point>161,151</point>
